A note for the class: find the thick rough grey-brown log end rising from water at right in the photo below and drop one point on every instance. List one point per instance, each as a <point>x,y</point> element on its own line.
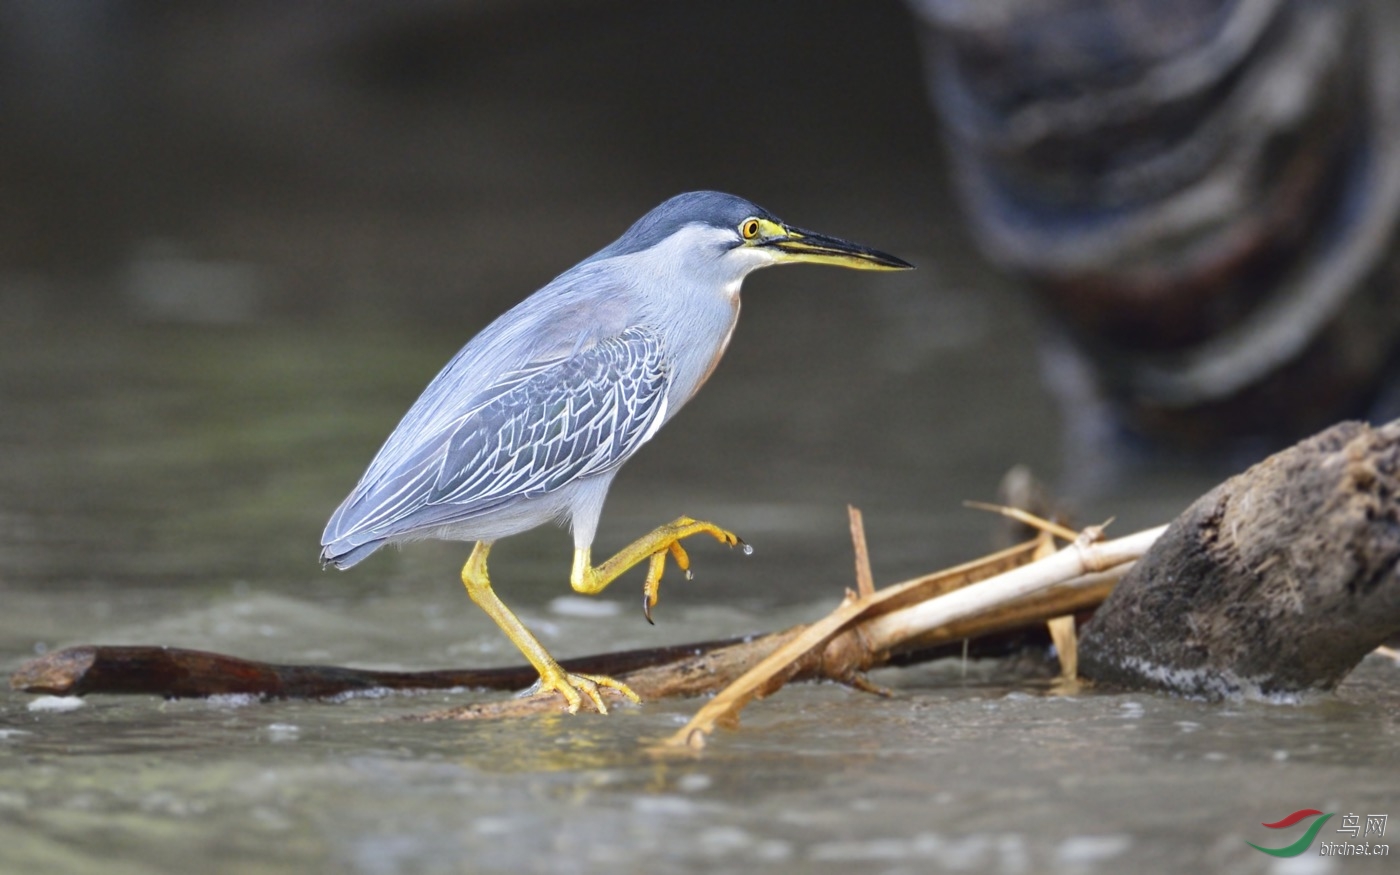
<point>1275,584</point>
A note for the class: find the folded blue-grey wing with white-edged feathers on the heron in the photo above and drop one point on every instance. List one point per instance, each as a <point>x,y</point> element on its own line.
<point>526,437</point>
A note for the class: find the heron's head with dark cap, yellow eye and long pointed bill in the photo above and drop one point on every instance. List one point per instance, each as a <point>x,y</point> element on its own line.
<point>736,237</point>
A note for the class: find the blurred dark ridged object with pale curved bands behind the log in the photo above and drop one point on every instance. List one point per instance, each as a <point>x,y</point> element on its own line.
<point>1205,195</point>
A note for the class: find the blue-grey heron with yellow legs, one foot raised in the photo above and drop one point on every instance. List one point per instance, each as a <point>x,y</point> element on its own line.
<point>533,419</point>
